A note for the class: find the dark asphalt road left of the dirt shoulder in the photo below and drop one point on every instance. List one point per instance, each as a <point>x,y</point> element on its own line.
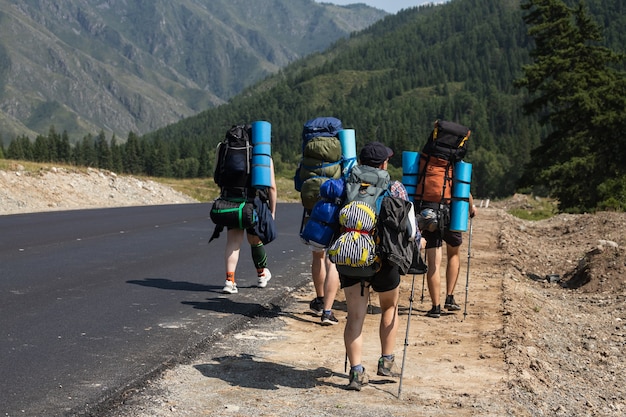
<point>92,301</point>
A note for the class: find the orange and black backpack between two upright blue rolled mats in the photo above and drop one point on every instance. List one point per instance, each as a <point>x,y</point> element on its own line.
<point>446,145</point>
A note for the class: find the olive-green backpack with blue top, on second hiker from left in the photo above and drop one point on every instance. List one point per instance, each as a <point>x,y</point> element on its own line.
<point>321,158</point>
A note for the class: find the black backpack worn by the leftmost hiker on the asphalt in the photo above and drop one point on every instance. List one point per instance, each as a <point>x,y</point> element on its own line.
<point>233,162</point>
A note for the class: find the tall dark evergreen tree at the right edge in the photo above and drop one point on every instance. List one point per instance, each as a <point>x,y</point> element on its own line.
<point>581,98</point>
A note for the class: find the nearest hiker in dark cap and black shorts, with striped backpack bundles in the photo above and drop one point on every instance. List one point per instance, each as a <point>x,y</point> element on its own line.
<point>374,249</point>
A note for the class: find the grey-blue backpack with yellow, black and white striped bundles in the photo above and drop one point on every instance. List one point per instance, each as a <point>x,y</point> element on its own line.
<point>355,252</point>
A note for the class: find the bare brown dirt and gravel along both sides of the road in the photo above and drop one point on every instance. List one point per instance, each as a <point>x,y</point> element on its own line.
<point>541,331</point>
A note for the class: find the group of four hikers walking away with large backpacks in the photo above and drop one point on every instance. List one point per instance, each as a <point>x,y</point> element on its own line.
<point>363,229</point>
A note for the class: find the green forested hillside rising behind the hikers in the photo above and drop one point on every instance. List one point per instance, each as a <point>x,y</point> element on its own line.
<point>456,61</point>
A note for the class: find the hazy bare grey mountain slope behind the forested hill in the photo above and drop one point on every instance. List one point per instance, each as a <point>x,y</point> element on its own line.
<point>91,65</point>
